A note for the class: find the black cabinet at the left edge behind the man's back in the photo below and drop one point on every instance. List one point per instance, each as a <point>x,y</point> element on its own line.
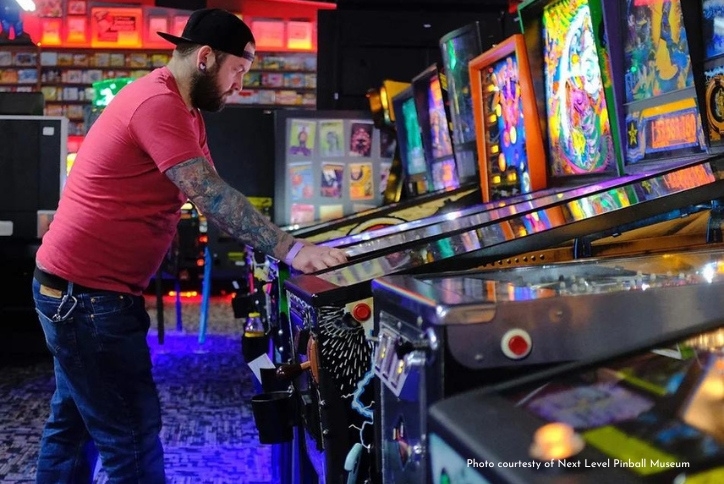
<point>33,173</point>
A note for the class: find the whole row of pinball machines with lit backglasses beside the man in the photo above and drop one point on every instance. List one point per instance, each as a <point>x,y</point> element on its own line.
<point>541,299</point>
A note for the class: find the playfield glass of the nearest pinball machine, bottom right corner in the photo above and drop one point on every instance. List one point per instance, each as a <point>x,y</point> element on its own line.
<point>658,408</point>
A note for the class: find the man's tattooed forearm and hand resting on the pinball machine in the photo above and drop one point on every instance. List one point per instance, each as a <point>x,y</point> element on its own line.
<point>232,212</point>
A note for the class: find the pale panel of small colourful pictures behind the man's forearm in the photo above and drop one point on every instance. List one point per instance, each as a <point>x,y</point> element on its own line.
<point>330,164</point>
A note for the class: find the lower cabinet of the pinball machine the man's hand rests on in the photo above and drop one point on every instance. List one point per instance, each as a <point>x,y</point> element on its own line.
<point>332,308</point>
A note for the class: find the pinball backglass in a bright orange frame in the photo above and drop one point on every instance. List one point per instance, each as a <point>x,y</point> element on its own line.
<point>510,144</point>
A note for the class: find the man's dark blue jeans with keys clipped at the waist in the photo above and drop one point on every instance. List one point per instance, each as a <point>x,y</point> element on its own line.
<point>105,393</point>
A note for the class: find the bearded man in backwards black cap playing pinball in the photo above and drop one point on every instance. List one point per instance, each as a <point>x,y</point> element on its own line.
<point>143,158</point>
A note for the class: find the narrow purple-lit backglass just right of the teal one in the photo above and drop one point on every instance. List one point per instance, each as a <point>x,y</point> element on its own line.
<point>436,138</point>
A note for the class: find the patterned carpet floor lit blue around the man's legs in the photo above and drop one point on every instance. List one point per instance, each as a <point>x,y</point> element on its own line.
<point>209,435</point>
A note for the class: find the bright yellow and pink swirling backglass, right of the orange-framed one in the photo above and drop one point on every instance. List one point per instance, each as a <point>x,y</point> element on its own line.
<point>566,35</point>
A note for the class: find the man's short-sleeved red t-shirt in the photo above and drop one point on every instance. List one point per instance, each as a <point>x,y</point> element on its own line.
<point>118,212</point>
